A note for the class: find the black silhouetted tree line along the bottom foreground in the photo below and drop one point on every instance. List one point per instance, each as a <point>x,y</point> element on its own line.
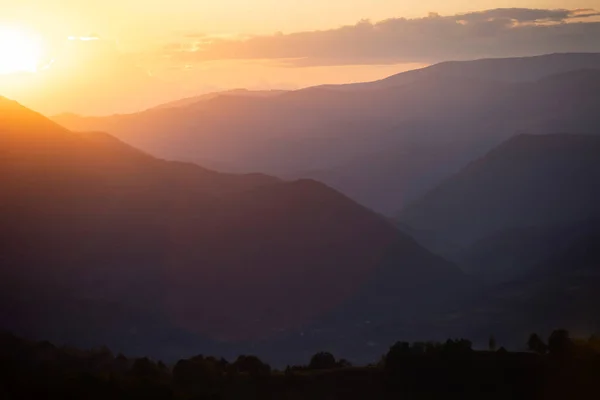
<point>559,364</point>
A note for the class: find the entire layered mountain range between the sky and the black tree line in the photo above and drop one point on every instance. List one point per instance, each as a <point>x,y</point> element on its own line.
<point>494,231</point>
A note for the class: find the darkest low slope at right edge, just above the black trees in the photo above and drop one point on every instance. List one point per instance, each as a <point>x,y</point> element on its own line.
<point>560,291</point>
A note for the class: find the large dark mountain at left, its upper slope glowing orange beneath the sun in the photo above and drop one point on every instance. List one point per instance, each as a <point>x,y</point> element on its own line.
<point>102,243</point>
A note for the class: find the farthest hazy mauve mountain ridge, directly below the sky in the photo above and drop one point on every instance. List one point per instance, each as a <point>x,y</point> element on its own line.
<point>430,126</point>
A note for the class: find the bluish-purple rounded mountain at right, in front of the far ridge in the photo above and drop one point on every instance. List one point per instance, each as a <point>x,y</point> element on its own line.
<point>530,180</point>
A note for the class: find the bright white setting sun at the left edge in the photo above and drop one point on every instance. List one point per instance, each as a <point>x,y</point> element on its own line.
<point>20,51</point>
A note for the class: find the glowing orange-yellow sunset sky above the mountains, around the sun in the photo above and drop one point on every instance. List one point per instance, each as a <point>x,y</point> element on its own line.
<point>139,53</point>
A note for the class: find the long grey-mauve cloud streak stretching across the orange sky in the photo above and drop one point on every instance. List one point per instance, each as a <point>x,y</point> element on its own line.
<point>490,33</point>
